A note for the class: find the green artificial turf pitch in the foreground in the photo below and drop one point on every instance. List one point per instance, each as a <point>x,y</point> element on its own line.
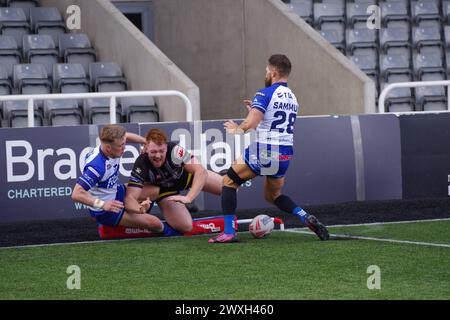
<point>284,266</point>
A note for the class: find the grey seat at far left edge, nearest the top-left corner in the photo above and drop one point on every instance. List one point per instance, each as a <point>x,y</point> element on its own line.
<point>13,22</point>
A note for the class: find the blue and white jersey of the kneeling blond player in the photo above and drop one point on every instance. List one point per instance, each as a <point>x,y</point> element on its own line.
<point>100,175</point>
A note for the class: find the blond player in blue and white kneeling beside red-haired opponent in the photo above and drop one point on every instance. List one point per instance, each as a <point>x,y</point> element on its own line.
<point>98,187</point>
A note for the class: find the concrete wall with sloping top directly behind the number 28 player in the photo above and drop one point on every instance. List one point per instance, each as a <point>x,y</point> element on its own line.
<point>223,45</point>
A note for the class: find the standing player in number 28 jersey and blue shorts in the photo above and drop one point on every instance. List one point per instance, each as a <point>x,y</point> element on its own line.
<point>272,114</point>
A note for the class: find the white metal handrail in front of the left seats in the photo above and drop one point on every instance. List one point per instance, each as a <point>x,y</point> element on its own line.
<point>112,104</point>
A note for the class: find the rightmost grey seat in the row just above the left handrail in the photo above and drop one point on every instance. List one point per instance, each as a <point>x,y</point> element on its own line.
<point>106,77</point>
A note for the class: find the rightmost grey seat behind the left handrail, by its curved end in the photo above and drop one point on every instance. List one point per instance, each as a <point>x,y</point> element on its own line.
<point>140,109</point>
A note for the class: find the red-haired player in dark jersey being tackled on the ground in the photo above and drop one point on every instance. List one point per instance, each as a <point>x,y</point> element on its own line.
<point>171,169</point>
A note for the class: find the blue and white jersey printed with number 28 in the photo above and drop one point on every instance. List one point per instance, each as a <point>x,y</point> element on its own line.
<point>280,107</point>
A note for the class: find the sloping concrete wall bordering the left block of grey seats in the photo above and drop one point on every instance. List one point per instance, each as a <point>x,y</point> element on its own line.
<point>116,39</point>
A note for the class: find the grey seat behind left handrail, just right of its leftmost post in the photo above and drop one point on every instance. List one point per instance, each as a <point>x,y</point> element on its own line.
<point>63,112</point>
